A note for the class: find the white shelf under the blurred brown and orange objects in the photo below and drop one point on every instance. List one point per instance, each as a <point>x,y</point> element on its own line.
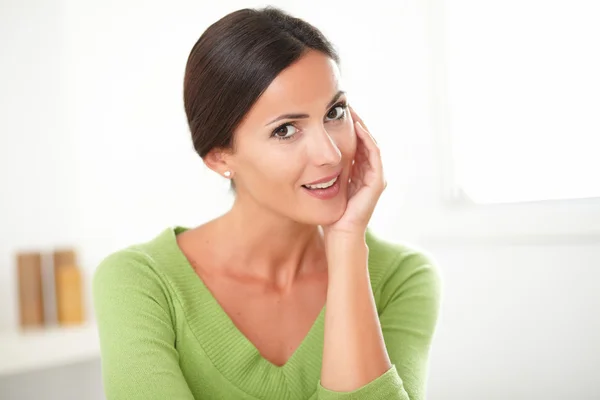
<point>32,350</point>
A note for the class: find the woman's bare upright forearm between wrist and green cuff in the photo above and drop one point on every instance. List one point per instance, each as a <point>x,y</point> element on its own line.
<point>354,352</point>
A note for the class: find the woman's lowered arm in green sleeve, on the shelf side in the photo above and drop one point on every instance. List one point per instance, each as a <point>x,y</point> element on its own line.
<point>137,338</point>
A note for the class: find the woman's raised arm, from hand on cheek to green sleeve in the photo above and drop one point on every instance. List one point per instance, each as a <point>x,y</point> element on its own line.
<point>361,360</point>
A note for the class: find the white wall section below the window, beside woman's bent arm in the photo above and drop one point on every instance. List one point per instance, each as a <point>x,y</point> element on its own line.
<point>518,322</point>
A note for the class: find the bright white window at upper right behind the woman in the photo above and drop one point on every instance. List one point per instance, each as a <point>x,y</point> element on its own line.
<point>522,81</point>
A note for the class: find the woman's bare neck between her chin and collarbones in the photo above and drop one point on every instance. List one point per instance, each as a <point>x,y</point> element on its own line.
<point>269,247</point>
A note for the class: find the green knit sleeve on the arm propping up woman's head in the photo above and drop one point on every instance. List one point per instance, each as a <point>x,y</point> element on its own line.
<point>409,296</point>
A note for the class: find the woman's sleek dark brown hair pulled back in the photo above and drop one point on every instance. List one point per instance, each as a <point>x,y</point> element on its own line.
<point>233,63</point>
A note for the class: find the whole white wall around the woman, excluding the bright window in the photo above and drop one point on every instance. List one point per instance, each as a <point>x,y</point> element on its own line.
<point>95,151</point>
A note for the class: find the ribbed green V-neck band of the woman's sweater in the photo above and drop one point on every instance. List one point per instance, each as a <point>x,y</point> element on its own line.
<point>232,353</point>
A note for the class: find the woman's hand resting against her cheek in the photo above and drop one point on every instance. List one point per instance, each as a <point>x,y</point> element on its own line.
<point>366,184</point>
